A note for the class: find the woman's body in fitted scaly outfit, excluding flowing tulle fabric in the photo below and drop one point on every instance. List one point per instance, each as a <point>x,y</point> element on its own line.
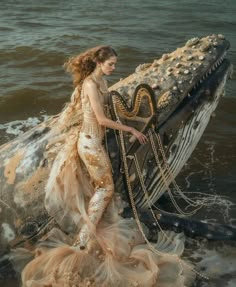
<point>100,61</point>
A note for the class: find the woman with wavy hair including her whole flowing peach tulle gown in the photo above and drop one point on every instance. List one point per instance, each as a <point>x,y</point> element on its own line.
<point>109,251</point>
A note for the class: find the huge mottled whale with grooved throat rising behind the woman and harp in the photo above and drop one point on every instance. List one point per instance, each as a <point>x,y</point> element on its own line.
<point>171,100</point>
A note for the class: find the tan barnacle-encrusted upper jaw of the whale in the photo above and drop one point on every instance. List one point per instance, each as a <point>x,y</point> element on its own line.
<point>176,75</point>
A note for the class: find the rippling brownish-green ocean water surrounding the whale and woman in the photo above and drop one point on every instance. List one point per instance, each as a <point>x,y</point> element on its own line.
<point>37,37</point>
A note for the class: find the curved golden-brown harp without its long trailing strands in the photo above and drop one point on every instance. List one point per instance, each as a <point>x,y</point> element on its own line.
<point>141,114</point>
